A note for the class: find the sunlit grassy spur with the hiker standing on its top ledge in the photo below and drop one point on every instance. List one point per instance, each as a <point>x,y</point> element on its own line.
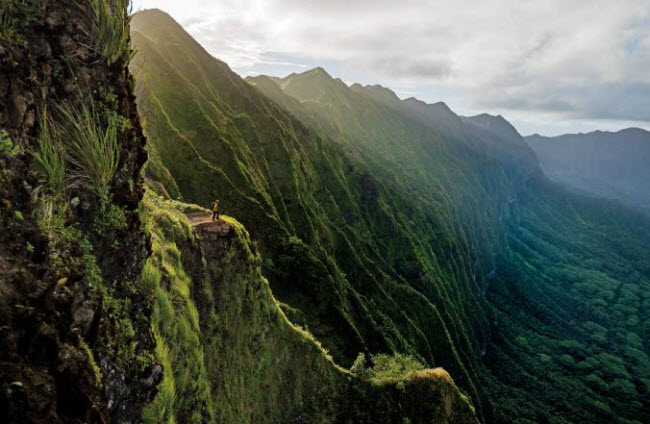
<point>231,355</point>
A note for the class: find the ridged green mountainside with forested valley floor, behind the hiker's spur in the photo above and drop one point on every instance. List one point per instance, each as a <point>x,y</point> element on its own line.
<point>398,226</point>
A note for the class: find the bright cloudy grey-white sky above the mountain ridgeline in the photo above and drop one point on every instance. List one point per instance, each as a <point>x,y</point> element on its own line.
<point>548,66</point>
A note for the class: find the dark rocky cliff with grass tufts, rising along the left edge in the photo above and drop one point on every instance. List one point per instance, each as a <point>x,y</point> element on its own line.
<point>74,332</point>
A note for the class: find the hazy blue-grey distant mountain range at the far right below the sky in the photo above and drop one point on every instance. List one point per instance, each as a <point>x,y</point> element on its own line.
<point>614,165</point>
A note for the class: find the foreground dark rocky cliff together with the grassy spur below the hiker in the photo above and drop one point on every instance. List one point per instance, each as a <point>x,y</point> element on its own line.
<point>89,326</point>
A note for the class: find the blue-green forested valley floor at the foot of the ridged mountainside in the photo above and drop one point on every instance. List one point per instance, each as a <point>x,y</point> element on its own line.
<point>571,296</point>
